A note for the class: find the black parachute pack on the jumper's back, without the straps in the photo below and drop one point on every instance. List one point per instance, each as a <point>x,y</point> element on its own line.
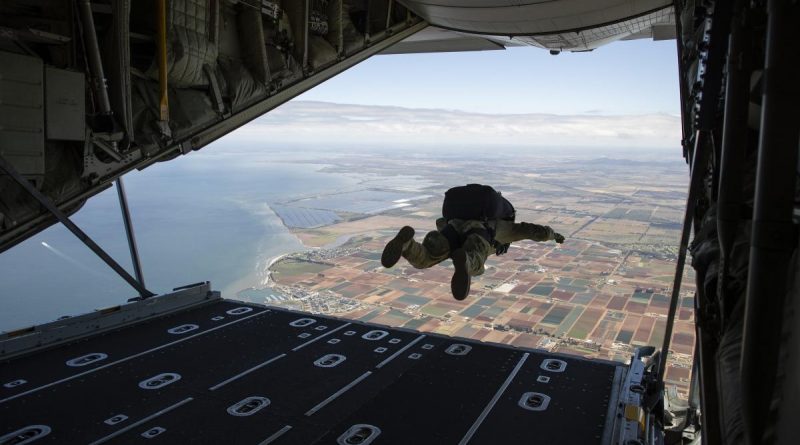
<point>476,202</point>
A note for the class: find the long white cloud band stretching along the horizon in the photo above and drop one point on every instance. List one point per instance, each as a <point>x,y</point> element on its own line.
<point>340,124</point>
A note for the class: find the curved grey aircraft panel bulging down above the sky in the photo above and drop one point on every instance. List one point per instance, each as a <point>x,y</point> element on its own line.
<point>507,17</point>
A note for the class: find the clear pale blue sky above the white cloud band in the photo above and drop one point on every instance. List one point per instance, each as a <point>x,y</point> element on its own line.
<point>623,78</point>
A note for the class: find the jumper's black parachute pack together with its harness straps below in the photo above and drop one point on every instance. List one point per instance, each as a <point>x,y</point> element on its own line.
<point>475,202</point>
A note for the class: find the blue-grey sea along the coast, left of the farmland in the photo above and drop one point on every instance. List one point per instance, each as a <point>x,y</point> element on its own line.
<point>202,217</point>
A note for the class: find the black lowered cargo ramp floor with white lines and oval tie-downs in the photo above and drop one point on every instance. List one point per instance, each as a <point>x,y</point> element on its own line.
<point>190,367</point>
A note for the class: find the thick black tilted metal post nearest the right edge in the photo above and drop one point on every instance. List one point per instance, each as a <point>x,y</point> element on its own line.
<point>773,240</point>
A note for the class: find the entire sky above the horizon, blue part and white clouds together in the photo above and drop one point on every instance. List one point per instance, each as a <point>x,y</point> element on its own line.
<point>622,95</point>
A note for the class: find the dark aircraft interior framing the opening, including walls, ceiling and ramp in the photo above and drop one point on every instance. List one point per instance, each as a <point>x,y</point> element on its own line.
<point>93,89</point>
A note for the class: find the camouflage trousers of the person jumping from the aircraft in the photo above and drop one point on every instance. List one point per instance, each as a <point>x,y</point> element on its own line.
<point>435,249</point>
